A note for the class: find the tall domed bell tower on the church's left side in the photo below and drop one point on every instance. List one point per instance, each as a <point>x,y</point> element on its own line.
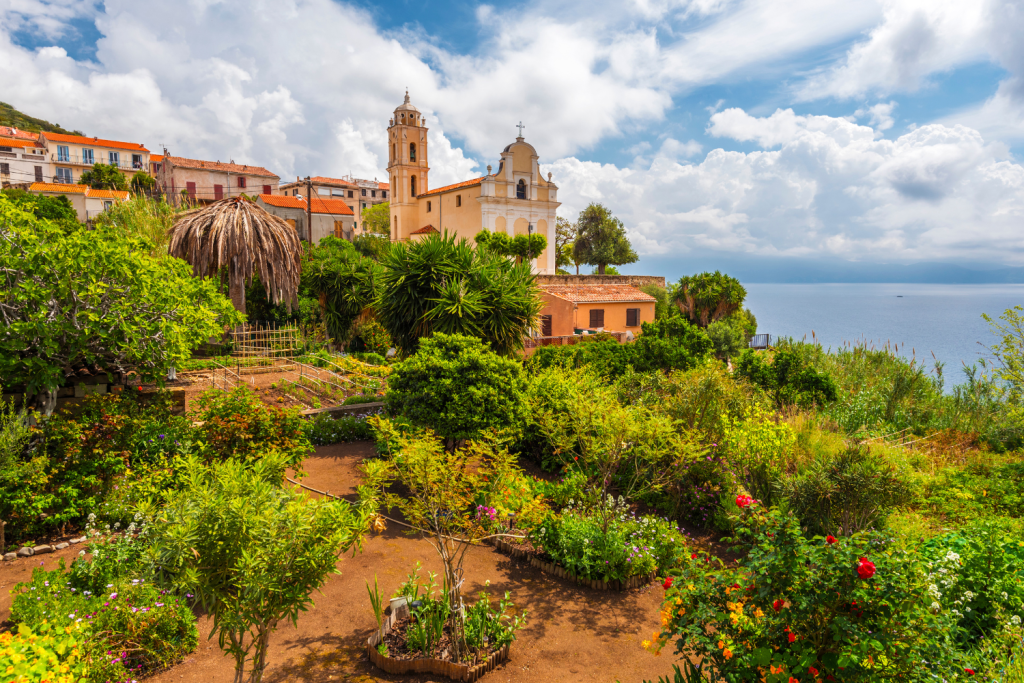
<point>408,168</point>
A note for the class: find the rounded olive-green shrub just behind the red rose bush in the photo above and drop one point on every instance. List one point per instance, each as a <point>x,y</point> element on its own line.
<point>849,493</point>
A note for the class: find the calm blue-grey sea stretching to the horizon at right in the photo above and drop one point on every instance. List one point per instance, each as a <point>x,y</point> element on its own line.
<point>928,323</point>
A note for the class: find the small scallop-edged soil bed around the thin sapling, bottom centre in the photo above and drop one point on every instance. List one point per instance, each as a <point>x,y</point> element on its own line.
<point>407,662</point>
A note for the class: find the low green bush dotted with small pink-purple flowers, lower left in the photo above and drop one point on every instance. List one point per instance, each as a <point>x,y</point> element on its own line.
<point>130,629</point>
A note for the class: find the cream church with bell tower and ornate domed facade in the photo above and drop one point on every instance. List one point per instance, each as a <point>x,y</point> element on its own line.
<point>516,199</point>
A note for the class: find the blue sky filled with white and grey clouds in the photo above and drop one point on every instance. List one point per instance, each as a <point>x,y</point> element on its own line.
<point>783,140</point>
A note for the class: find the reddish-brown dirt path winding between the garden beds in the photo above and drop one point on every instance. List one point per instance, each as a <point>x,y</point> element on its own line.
<point>572,634</point>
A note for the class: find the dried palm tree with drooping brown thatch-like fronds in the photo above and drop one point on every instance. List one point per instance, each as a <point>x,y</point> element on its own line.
<point>236,238</point>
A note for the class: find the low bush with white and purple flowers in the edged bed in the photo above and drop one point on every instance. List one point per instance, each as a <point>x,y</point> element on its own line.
<point>632,547</point>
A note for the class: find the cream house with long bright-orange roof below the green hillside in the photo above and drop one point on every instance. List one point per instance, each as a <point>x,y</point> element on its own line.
<point>70,156</point>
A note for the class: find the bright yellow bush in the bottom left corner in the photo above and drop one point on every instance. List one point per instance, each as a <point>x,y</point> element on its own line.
<point>41,655</point>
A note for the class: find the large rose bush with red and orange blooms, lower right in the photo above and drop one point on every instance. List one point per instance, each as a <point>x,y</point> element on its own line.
<point>803,610</point>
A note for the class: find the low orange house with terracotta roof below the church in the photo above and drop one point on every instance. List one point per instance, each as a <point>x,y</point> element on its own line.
<point>594,308</point>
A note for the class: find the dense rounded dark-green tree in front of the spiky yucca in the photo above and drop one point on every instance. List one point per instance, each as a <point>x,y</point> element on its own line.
<point>458,388</point>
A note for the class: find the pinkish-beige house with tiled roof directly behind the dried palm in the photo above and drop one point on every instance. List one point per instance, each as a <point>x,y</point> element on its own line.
<point>201,182</point>
